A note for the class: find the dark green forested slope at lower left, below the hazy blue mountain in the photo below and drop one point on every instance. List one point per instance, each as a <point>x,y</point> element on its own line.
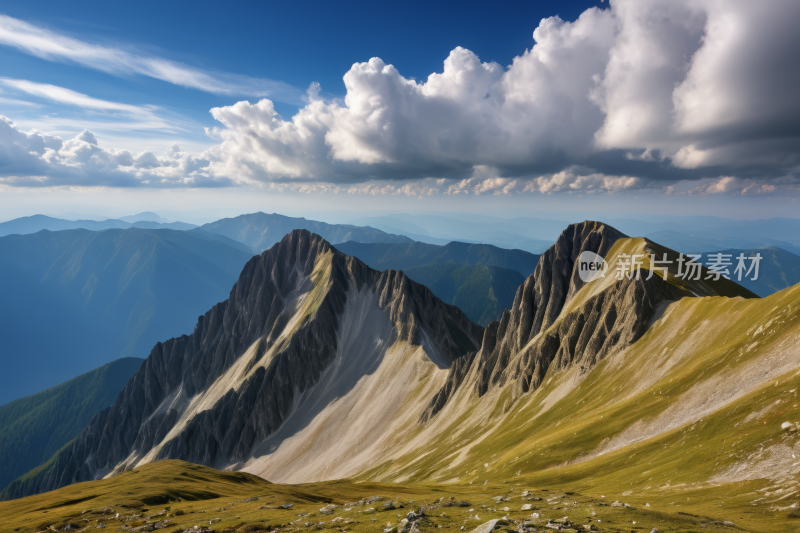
<point>33,428</point>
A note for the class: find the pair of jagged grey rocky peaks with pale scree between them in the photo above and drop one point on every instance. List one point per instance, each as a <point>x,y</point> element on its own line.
<point>315,348</point>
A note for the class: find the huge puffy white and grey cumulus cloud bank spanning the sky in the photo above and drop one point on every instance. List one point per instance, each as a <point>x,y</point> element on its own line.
<point>638,96</point>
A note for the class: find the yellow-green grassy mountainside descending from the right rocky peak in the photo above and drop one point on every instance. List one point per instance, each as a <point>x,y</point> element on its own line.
<point>746,351</point>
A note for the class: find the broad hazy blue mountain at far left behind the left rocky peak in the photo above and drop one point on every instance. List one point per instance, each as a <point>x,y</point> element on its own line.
<point>77,299</point>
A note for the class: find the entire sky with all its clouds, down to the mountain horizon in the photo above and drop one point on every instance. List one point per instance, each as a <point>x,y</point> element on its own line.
<point>204,110</point>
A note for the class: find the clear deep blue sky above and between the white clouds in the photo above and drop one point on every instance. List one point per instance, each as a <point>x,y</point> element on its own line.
<point>292,43</point>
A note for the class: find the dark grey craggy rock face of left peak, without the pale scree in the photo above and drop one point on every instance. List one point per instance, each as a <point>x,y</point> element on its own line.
<point>261,304</point>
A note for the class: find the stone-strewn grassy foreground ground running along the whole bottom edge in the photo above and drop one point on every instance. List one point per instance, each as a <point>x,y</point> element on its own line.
<point>175,496</point>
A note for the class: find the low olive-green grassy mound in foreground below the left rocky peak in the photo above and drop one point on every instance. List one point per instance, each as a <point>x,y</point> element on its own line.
<point>187,495</point>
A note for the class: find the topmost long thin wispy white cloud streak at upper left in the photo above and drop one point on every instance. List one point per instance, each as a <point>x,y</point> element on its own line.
<point>54,46</point>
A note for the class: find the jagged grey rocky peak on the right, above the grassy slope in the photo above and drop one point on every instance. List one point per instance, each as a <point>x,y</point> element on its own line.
<point>548,328</point>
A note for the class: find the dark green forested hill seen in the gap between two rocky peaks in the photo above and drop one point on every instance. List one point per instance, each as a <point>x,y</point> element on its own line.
<point>482,292</point>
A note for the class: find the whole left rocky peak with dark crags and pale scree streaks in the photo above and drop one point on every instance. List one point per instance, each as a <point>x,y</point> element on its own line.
<point>303,321</point>
